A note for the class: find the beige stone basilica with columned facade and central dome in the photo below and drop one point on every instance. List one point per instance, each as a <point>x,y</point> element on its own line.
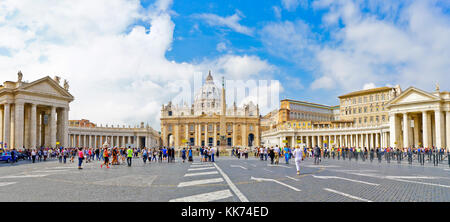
<point>209,122</point>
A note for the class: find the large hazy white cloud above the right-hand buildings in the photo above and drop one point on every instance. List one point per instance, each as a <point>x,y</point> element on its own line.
<point>412,51</point>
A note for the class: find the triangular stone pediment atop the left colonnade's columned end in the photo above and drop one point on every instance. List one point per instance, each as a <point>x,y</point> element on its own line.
<point>46,86</point>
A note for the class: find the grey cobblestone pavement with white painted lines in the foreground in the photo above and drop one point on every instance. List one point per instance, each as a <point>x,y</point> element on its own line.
<point>228,179</point>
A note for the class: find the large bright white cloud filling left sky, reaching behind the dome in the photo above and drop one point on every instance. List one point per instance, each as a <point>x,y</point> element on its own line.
<point>117,70</point>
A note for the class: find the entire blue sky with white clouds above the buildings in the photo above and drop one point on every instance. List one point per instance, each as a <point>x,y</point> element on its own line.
<point>130,56</point>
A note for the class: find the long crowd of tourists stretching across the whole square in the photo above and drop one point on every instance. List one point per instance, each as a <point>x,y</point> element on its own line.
<point>118,156</point>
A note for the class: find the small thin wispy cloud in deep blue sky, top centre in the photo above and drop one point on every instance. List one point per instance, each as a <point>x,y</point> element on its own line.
<point>231,22</point>
